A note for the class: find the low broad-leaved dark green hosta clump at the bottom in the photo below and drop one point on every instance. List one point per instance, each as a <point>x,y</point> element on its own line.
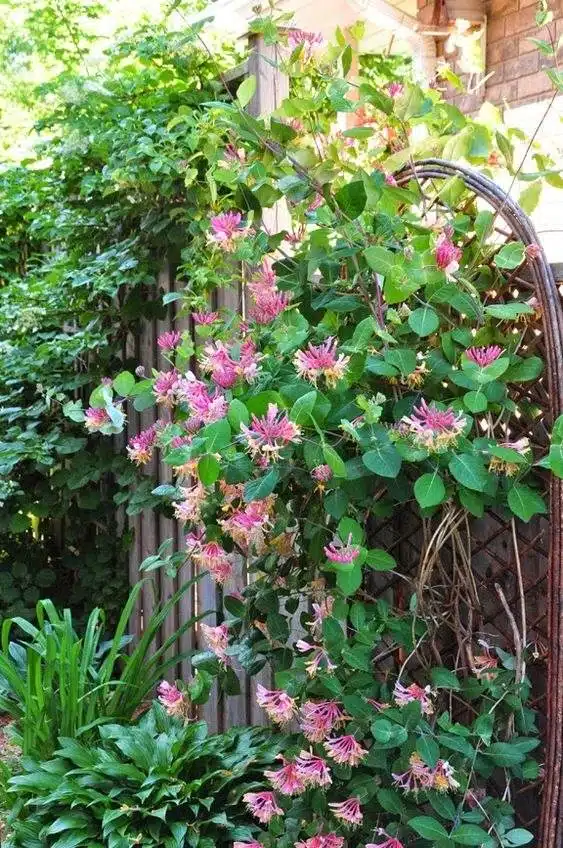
<point>161,783</point>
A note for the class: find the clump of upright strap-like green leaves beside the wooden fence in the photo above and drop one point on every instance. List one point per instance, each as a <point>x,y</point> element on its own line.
<point>58,683</point>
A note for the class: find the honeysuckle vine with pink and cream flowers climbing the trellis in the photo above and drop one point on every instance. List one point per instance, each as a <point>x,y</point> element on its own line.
<point>371,363</point>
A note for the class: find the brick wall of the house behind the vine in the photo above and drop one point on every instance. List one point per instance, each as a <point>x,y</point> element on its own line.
<point>515,63</point>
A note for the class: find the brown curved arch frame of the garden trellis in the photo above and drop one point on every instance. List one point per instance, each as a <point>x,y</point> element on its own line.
<point>551,823</point>
